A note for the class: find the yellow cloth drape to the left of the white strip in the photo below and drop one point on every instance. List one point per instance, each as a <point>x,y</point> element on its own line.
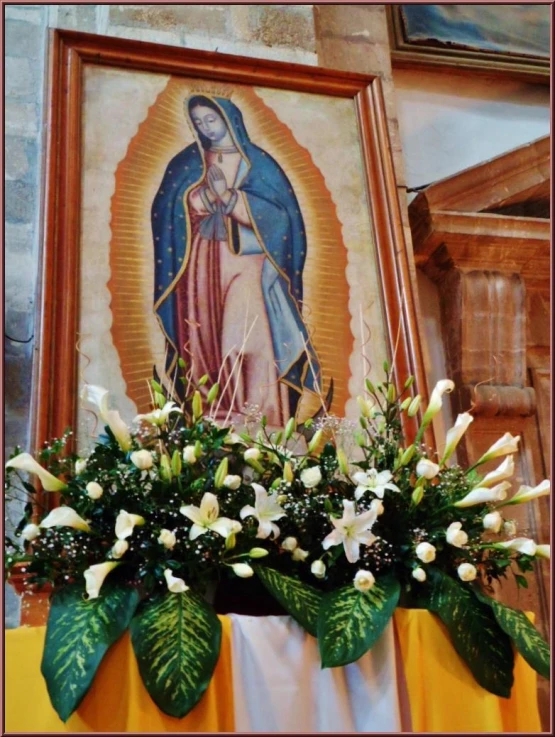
<point>117,700</point>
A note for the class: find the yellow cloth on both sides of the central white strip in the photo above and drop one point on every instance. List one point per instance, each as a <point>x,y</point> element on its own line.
<point>442,693</point>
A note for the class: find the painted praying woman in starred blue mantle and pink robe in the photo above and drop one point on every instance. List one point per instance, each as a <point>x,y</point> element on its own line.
<point>230,248</point>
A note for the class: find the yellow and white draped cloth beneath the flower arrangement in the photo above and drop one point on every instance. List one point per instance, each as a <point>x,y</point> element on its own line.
<point>268,674</point>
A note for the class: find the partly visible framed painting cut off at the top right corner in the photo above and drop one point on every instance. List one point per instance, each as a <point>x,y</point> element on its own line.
<point>503,39</point>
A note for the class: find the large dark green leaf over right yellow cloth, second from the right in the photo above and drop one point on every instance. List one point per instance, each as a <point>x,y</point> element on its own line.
<point>475,634</point>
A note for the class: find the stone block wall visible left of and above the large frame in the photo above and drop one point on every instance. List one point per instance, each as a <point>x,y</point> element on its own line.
<point>341,36</point>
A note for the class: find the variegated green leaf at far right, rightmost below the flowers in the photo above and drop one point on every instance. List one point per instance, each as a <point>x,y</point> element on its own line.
<point>528,641</point>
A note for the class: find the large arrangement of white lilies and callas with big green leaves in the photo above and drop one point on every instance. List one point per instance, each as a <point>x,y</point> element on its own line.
<point>341,522</point>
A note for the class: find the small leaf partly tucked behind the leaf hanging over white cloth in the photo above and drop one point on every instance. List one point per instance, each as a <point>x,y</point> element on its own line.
<point>299,599</point>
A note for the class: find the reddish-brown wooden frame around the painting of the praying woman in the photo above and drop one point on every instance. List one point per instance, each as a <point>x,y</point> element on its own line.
<point>55,407</point>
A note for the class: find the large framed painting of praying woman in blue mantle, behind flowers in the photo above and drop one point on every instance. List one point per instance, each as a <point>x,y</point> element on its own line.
<point>239,215</point>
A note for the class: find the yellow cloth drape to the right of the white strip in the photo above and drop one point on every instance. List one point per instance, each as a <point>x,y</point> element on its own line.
<point>443,695</point>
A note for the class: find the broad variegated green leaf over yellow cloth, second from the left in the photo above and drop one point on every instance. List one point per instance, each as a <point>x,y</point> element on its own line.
<point>176,639</point>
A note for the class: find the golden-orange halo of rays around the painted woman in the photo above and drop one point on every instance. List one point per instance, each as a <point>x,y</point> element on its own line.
<point>164,133</point>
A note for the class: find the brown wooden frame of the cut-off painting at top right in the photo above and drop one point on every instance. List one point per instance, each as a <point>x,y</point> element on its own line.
<point>411,55</point>
